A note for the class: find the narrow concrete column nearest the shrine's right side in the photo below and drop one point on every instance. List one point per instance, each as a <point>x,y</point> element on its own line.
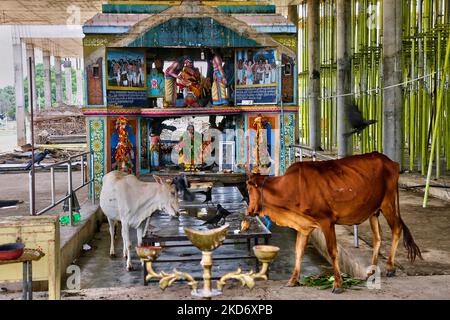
<point>314,73</point>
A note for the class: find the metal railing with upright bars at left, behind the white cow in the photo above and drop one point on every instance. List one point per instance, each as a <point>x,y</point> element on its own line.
<point>70,190</point>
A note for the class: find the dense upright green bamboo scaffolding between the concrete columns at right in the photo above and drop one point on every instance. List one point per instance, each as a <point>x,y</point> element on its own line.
<point>426,28</point>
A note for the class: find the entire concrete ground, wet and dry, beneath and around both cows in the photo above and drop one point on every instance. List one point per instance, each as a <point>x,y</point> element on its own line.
<point>429,279</point>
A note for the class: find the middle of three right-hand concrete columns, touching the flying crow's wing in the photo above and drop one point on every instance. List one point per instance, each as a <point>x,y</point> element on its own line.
<point>344,74</point>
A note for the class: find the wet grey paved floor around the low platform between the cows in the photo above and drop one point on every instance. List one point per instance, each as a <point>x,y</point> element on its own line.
<point>98,270</point>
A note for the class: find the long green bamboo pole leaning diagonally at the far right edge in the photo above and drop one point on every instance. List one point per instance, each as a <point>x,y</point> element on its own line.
<point>436,127</point>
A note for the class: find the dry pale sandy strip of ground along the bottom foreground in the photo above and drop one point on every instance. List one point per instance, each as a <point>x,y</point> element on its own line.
<point>397,288</point>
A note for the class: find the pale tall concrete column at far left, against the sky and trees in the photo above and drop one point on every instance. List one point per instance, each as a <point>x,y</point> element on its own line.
<point>19,89</point>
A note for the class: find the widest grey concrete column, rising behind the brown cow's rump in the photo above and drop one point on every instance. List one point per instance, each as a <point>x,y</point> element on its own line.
<point>392,73</point>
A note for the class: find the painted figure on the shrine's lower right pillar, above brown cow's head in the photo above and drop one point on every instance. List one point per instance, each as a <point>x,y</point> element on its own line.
<point>260,149</point>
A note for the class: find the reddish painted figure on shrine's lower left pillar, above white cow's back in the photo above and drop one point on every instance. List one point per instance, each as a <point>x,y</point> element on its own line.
<point>124,150</point>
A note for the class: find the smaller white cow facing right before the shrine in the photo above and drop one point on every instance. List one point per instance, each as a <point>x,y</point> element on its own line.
<point>126,199</point>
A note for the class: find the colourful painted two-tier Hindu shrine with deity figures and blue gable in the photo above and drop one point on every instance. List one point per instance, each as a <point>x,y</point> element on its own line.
<point>171,67</point>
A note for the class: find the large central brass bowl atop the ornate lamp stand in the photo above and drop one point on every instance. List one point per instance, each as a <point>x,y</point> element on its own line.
<point>208,240</point>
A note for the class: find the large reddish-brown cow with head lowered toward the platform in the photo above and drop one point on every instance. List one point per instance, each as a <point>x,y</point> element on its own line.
<point>321,194</point>
